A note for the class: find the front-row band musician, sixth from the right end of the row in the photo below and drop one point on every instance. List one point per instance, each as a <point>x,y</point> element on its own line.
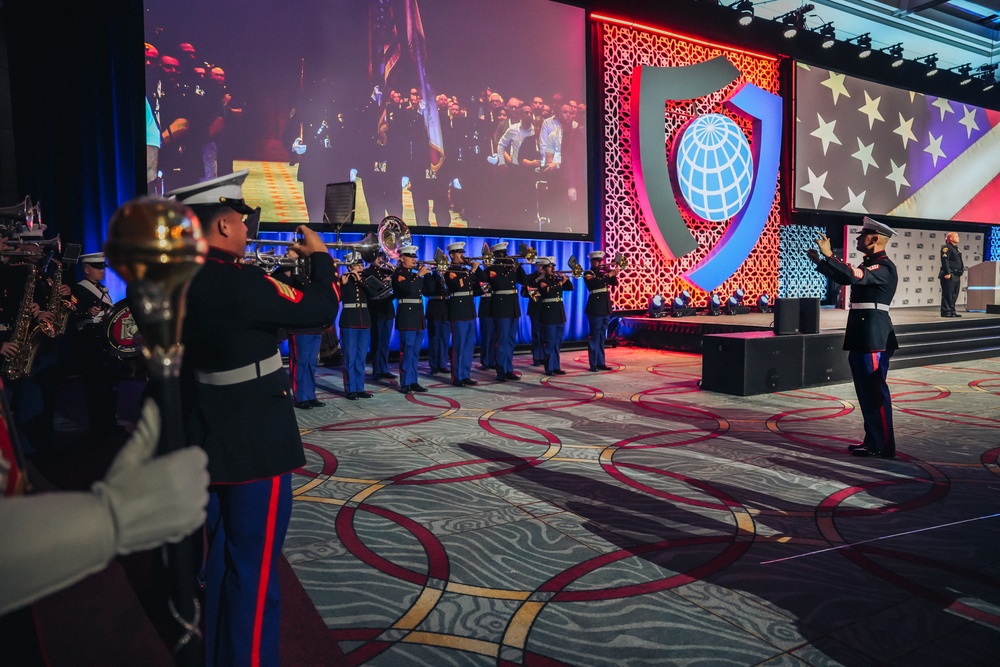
<point>355,326</point>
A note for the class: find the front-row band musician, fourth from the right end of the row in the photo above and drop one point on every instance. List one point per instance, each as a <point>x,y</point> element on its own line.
<point>461,313</point>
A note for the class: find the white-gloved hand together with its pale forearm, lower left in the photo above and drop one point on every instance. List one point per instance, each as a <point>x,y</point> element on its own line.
<point>66,535</point>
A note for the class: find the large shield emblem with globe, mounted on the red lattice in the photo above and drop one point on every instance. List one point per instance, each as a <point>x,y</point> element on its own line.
<point>715,173</point>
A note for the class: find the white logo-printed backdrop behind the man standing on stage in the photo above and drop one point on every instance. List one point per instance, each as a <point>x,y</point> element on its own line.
<point>917,256</point>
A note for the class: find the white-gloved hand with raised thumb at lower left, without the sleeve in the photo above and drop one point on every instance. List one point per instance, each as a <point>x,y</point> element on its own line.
<point>154,500</point>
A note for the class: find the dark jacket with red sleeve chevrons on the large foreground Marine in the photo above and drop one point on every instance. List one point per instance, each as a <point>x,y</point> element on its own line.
<point>234,313</point>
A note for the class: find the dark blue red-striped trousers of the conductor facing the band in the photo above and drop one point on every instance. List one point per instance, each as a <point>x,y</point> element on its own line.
<point>869,370</point>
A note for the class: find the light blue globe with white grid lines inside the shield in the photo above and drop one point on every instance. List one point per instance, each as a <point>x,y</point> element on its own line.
<point>714,167</point>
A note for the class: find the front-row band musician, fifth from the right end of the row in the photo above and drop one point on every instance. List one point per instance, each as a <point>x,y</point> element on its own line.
<point>408,288</point>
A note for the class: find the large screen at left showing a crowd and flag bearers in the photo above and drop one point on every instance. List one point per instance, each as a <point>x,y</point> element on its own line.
<point>450,114</point>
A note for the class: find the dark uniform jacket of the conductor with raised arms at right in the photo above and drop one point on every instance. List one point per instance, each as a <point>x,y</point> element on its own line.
<point>870,329</point>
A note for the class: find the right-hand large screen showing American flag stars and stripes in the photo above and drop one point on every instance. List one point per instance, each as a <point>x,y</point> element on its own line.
<point>865,147</point>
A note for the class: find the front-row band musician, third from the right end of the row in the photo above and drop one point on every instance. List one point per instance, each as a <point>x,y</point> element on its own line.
<point>503,276</point>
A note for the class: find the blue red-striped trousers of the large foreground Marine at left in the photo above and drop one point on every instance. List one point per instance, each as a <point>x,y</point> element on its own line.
<point>245,530</point>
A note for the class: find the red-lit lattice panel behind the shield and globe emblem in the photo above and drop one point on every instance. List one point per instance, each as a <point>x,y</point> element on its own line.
<point>625,229</point>
